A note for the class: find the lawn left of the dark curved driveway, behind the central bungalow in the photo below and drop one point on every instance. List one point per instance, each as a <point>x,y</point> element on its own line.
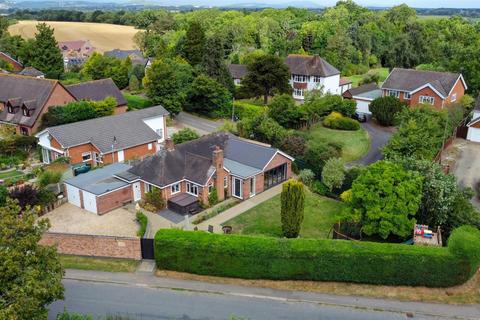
<point>355,144</point>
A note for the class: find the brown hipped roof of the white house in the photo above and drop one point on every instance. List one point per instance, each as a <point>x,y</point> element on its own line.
<point>310,65</point>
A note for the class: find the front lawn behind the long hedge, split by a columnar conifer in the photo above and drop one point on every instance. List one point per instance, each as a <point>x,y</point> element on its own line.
<point>319,216</point>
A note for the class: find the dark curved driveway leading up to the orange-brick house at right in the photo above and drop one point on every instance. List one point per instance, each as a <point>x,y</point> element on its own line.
<point>379,137</point>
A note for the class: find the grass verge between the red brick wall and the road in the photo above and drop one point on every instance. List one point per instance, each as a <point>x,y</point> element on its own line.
<point>100,264</point>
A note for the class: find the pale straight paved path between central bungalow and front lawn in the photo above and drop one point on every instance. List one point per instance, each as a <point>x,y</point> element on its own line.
<point>240,208</point>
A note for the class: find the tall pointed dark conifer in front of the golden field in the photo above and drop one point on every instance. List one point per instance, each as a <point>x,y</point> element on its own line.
<point>46,55</point>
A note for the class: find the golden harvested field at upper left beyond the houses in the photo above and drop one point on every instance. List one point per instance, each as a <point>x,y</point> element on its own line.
<point>102,36</point>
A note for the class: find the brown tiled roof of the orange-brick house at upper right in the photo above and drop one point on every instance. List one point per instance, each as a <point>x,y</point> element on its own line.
<point>410,80</point>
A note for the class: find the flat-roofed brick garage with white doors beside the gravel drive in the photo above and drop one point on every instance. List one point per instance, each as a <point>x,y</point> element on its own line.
<point>98,191</point>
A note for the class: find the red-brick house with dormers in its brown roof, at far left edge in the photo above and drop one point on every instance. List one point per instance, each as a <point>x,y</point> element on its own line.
<point>23,100</point>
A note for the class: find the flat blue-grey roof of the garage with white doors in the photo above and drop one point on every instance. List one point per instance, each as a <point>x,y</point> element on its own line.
<point>100,180</point>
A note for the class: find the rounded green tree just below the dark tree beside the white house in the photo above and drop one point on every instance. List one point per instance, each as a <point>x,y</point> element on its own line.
<point>285,112</point>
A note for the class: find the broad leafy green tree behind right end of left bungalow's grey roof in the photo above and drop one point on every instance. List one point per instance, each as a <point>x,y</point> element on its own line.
<point>167,82</point>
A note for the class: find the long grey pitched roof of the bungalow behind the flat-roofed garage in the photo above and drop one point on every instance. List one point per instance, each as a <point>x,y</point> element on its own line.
<point>121,131</point>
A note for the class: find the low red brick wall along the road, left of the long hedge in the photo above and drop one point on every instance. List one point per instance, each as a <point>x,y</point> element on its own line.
<point>94,245</point>
